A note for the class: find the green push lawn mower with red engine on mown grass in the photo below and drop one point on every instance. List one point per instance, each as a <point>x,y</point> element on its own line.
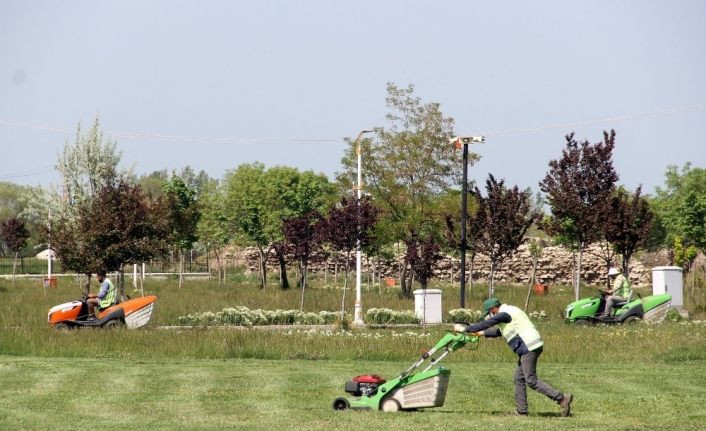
<point>412,389</point>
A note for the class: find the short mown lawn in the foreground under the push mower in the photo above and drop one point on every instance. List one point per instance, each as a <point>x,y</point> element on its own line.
<point>107,393</point>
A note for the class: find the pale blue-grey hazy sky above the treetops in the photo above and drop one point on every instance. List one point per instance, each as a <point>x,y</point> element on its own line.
<point>216,84</point>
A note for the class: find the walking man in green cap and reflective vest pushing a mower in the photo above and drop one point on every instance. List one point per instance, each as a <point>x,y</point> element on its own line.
<point>524,339</point>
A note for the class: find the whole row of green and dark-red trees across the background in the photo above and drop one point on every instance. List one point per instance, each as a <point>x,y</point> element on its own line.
<point>411,181</point>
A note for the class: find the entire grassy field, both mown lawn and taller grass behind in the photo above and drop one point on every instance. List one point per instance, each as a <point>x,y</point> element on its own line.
<point>624,378</point>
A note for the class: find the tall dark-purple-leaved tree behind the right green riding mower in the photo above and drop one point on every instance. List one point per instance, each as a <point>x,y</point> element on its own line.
<point>578,188</point>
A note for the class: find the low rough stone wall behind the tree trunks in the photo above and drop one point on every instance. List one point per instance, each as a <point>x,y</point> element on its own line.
<point>554,266</point>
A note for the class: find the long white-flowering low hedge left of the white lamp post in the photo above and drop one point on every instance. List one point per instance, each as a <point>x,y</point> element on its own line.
<point>243,316</point>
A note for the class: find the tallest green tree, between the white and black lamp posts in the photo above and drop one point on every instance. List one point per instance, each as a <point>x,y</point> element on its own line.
<point>406,166</point>
